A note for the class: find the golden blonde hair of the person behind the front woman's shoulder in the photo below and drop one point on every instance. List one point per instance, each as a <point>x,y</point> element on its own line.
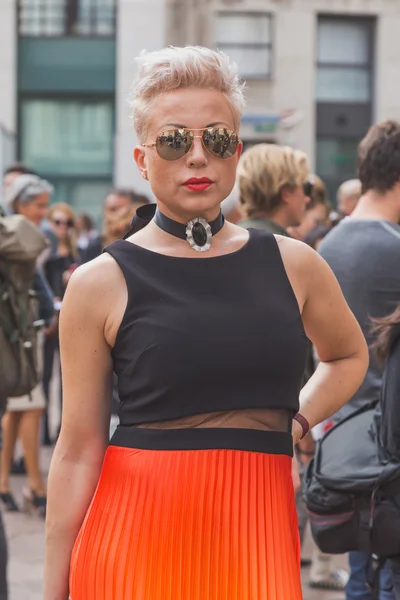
<point>264,170</point>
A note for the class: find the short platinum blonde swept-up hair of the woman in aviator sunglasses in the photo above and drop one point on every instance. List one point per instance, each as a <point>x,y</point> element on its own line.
<point>177,68</point>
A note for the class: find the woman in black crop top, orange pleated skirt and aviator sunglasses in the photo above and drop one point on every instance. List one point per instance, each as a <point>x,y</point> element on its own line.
<point>205,325</point>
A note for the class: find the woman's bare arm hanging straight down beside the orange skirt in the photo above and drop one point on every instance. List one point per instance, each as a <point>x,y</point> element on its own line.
<point>87,392</point>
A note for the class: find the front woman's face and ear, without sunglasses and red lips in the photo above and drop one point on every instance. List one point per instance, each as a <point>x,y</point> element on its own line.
<point>192,109</point>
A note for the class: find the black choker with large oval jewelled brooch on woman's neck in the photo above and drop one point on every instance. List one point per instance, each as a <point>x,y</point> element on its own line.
<point>197,232</point>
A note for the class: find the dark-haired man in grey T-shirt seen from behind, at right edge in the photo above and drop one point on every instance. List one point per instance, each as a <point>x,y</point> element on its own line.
<point>363,251</point>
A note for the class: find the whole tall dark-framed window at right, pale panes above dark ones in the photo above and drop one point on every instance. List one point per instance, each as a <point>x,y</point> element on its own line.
<point>344,93</point>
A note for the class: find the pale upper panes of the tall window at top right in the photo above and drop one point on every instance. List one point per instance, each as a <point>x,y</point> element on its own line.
<point>344,69</point>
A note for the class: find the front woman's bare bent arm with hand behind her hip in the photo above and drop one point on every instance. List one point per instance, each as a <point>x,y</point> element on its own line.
<point>332,328</point>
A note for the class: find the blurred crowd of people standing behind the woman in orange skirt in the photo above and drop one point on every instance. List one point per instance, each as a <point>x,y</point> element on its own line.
<point>357,233</point>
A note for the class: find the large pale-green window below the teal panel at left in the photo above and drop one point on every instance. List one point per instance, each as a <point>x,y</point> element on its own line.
<point>70,142</point>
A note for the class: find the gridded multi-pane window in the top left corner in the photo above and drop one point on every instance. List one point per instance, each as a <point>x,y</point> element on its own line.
<point>66,17</point>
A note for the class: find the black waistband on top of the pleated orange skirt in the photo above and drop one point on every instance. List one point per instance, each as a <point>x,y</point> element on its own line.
<point>252,440</point>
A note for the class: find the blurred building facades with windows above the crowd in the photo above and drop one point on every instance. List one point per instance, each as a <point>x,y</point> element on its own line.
<point>318,73</point>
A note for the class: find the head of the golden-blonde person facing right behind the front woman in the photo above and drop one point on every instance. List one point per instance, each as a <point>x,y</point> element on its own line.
<point>275,187</point>
